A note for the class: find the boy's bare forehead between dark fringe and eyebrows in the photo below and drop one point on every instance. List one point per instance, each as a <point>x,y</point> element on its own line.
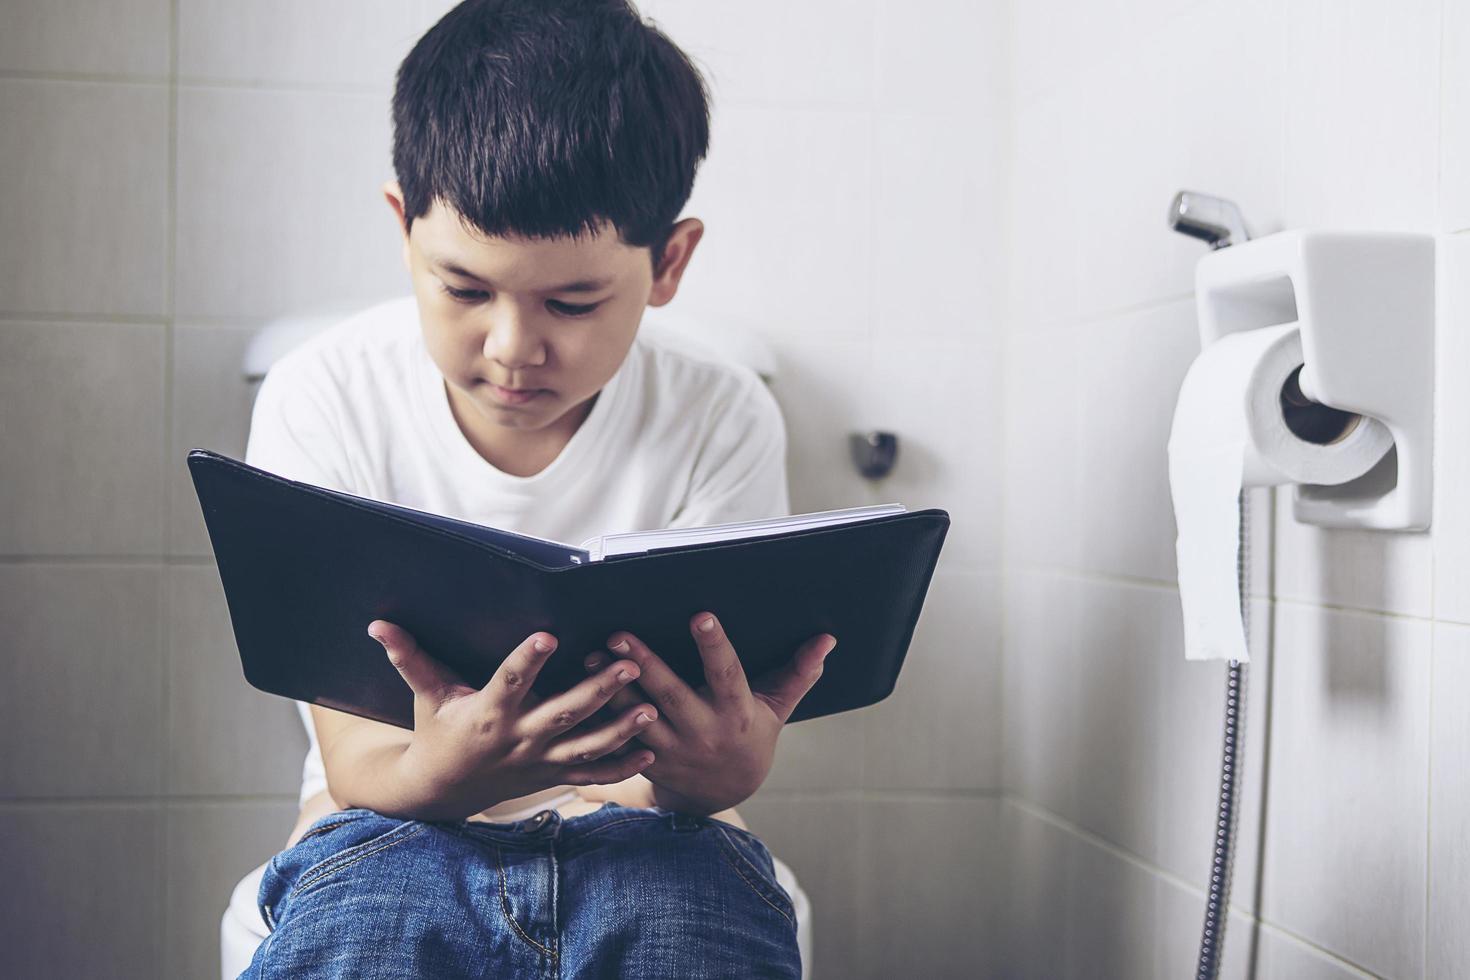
<point>451,243</point>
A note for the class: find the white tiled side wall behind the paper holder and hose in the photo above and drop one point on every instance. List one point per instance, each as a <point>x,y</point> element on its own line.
<point>1356,844</point>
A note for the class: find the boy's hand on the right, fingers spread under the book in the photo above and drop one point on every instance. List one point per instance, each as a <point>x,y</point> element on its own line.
<point>714,746</point>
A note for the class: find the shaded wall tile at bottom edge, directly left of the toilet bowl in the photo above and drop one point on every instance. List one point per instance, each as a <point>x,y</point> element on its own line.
<point>208,849</point>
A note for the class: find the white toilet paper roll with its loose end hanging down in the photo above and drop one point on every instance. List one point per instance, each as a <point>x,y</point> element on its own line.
<point>1231,433</point>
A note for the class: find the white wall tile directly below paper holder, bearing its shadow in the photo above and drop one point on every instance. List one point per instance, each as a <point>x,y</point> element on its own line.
<point>1347,818</point>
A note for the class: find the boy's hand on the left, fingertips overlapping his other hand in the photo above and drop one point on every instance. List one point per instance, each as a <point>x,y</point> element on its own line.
<point>474,749</point>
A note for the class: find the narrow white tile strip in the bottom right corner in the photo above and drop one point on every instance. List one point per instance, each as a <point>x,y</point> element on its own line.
<point>1450,807</point>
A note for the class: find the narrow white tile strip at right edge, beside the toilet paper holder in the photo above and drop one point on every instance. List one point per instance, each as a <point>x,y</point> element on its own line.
<point>1452,522</point>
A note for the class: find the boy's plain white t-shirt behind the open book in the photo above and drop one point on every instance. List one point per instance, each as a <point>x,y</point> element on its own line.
<point>675,440</point>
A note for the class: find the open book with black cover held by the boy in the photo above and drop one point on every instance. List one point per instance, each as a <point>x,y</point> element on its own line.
<point>306,568</point>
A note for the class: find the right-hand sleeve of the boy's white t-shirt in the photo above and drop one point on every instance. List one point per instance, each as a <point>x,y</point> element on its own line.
<point>740,472</point>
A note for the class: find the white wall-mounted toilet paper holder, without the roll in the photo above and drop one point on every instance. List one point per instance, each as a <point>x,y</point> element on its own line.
<point>1365,303</point>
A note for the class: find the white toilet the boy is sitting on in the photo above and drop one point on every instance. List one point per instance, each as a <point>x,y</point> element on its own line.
<point>242,929</point>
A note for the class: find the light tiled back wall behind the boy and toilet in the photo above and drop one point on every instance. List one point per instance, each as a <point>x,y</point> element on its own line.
<point>177,171</point>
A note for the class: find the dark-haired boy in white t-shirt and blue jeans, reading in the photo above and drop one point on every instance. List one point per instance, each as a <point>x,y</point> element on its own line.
<point>543,152</point>
